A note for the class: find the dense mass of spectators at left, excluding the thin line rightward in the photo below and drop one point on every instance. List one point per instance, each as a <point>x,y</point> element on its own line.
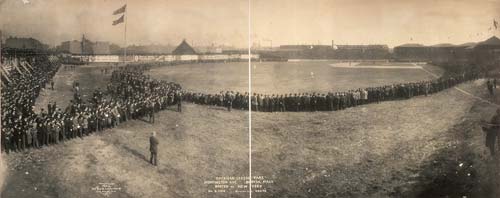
<point>131,95</point>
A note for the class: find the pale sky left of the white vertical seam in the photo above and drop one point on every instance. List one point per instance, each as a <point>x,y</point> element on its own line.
<point>151,21</point>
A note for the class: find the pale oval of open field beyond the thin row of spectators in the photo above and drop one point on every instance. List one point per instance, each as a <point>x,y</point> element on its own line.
<point>284,77</point>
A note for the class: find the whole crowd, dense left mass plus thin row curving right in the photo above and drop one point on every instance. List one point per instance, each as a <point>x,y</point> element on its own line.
<point>132,95</point>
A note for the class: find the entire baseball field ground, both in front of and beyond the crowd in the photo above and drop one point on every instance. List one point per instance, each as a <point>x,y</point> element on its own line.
<point>422,147</point>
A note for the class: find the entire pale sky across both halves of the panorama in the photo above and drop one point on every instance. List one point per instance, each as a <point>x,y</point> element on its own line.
<point>203,22</point>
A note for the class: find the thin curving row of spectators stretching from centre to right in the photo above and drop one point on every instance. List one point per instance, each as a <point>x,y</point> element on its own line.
<point>332,101</point>
